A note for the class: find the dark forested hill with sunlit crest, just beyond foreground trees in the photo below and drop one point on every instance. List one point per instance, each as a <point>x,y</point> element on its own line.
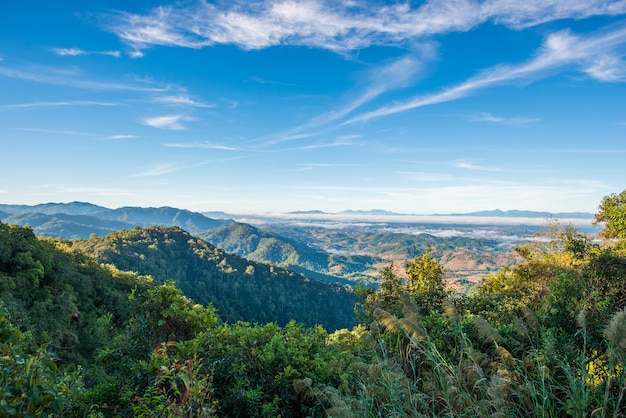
<point>240,289</point>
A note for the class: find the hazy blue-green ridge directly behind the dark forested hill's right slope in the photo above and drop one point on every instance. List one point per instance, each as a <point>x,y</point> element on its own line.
<point>254,244</point>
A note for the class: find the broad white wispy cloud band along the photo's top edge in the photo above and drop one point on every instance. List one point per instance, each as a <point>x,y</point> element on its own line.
<point>337,26</point>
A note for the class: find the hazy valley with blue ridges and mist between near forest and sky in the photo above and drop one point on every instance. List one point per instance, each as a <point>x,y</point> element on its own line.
<point>347,248</point>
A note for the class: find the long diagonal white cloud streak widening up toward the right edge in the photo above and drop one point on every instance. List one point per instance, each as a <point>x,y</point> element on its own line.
<point>560,49</point>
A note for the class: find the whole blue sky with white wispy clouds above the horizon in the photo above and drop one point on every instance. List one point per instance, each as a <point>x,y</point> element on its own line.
<point>443,106</point>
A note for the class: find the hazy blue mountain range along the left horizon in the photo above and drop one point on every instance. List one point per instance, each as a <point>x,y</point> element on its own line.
<point>80,220</point>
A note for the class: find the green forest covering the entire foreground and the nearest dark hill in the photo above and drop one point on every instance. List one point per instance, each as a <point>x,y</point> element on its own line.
<point>153,322</point>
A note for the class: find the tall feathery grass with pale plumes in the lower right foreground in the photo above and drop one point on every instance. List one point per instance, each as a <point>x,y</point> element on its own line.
<point>477,376</point>
